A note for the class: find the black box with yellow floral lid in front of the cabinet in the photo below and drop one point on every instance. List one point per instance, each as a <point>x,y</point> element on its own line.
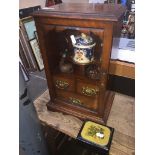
<point>96,135</point>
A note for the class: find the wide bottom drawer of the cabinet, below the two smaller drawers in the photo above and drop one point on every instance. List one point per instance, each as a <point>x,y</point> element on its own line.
<point>77,100</point>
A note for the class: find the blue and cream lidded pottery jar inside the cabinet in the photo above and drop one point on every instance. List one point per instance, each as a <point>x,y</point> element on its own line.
<point>83,48</point>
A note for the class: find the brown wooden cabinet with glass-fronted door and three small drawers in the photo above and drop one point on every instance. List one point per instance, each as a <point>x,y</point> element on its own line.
<point>82,92</point>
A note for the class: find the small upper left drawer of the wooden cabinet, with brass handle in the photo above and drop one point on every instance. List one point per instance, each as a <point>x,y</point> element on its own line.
<point>62,83</point>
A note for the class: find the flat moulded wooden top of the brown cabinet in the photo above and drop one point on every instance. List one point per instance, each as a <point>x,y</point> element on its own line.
<point>104,12</point>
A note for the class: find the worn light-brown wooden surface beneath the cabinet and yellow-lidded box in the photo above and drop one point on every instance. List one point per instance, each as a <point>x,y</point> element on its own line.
<point>121,118</point>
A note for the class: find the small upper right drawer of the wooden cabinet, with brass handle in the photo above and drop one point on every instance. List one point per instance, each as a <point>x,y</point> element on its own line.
<point>87,89</point>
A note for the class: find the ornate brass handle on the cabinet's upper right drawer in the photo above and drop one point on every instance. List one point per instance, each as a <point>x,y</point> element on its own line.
<point>89,91</point>
